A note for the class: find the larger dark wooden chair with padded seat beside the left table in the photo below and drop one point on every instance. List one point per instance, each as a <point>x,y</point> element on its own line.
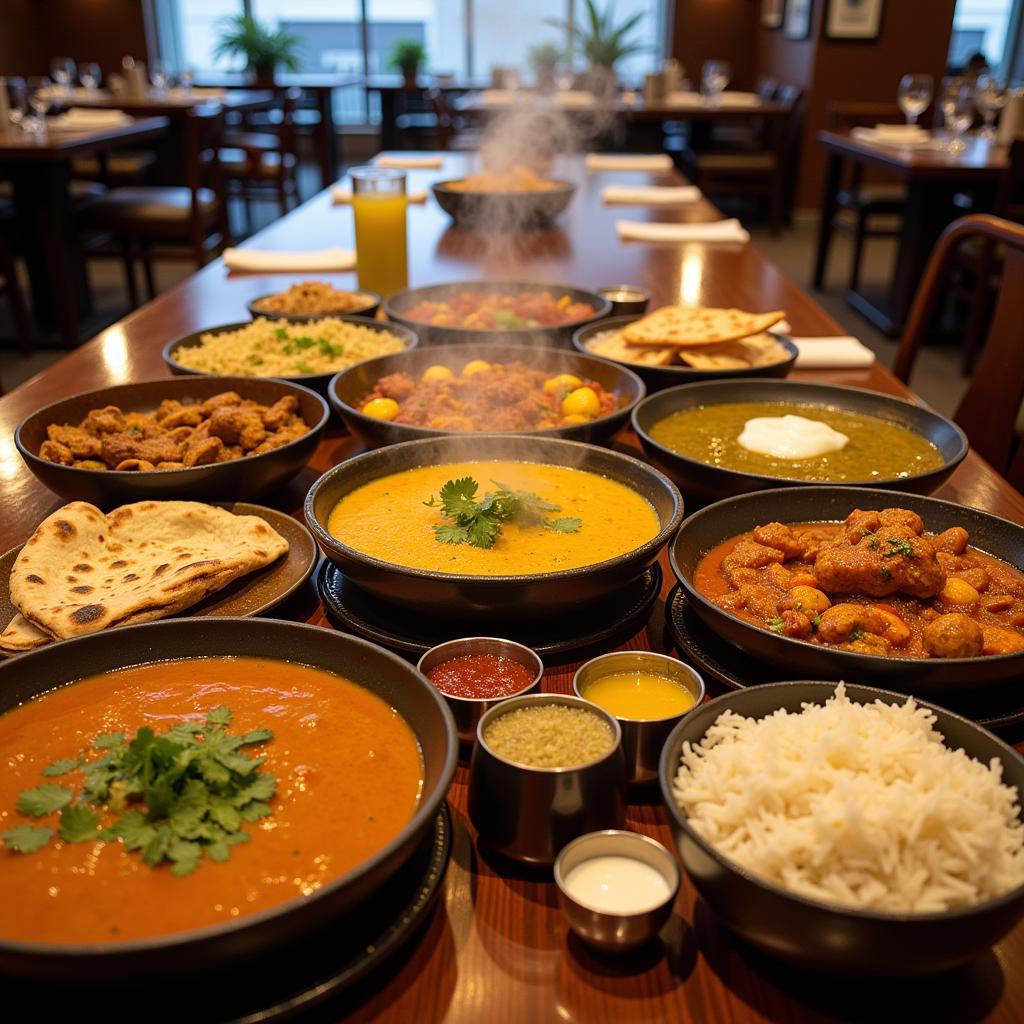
<point>149,223</point>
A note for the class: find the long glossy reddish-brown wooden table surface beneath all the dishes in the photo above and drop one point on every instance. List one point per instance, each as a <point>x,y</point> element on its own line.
<point>496,948</point>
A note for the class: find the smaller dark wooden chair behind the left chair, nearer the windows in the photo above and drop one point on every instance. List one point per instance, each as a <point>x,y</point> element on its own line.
<point>264,165</point>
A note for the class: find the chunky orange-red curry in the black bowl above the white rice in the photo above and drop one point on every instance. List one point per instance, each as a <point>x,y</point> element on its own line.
<point>876,584</point>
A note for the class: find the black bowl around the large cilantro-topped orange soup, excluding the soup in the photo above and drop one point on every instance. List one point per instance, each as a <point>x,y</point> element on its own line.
<point>383,674</point>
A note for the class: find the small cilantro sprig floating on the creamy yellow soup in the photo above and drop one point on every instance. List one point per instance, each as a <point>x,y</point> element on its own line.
<point>480,523</point>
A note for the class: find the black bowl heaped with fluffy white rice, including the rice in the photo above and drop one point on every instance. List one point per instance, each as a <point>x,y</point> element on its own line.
<point>848,829</point>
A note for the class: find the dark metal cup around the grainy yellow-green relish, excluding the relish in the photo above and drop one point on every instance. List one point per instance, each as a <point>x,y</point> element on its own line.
<point>531,814</point>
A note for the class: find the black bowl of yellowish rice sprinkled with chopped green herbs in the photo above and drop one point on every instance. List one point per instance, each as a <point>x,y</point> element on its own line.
<point>310,353</point>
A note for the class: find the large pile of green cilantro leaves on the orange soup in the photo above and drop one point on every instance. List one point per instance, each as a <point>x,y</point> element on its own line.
<point>175,796</point>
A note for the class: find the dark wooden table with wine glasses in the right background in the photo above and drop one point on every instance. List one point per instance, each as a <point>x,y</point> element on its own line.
<point>933,178</point>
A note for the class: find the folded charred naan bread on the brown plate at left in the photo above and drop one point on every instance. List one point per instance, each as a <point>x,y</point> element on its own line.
<point>83,571</point>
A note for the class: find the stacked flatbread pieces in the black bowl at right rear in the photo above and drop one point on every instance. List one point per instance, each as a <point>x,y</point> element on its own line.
<point>702,337</point>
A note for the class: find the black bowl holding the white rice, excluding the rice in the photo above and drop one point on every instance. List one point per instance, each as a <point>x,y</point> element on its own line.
<point>822,936</point>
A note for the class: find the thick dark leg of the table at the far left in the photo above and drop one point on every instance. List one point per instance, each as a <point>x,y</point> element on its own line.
<point>49,241</point>
